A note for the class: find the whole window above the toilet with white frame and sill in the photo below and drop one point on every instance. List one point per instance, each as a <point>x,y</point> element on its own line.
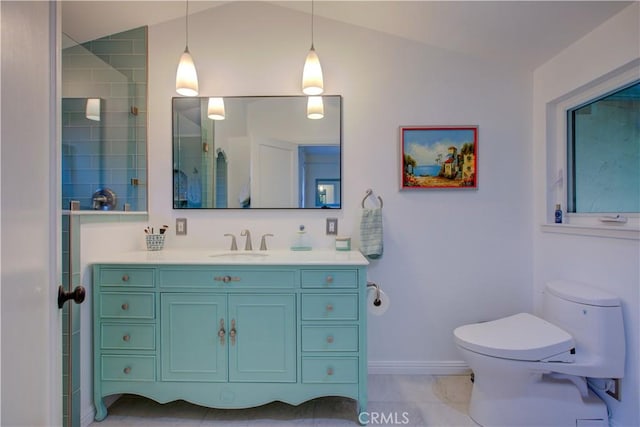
<point>593,157</point>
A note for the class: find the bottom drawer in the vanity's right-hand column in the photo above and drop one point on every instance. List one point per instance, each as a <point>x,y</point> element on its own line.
<point>330,370</point>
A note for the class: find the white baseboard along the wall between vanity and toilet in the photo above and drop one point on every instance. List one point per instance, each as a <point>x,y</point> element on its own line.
<point>418,367</point>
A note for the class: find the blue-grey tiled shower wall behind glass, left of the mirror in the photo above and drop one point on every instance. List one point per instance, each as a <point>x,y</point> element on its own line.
<point>111,153</point>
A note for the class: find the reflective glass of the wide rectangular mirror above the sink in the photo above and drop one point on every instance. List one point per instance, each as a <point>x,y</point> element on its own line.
<point>266,153</point>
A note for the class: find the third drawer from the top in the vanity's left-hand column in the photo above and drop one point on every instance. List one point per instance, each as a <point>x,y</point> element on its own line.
<point>121,336</point>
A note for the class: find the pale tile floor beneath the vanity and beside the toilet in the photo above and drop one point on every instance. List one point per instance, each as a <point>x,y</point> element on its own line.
<point>410,400</point>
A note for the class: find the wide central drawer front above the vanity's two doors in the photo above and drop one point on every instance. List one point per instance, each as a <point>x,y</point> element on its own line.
<point>230,278</point>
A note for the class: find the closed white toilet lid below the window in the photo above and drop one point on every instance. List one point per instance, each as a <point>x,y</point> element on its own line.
<point>522,336</point>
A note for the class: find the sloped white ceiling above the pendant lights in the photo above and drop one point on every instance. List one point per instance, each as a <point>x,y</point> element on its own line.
<point>524,33</point>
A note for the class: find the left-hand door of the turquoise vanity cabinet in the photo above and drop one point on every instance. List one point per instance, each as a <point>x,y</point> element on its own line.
<point>191,349</point>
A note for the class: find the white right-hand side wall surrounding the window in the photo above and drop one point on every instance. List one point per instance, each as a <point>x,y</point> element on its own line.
<point>612,264</point>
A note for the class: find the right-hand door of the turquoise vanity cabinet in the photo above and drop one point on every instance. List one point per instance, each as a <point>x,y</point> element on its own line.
<point>264,348</point>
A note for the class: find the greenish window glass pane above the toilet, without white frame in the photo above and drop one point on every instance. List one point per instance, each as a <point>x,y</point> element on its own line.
<point>603,153</point>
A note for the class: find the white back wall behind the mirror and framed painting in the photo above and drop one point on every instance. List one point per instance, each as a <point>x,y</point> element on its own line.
<point>451,257</point>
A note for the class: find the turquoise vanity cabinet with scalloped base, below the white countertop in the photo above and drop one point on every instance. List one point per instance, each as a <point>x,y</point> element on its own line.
<point>229,336</point>
